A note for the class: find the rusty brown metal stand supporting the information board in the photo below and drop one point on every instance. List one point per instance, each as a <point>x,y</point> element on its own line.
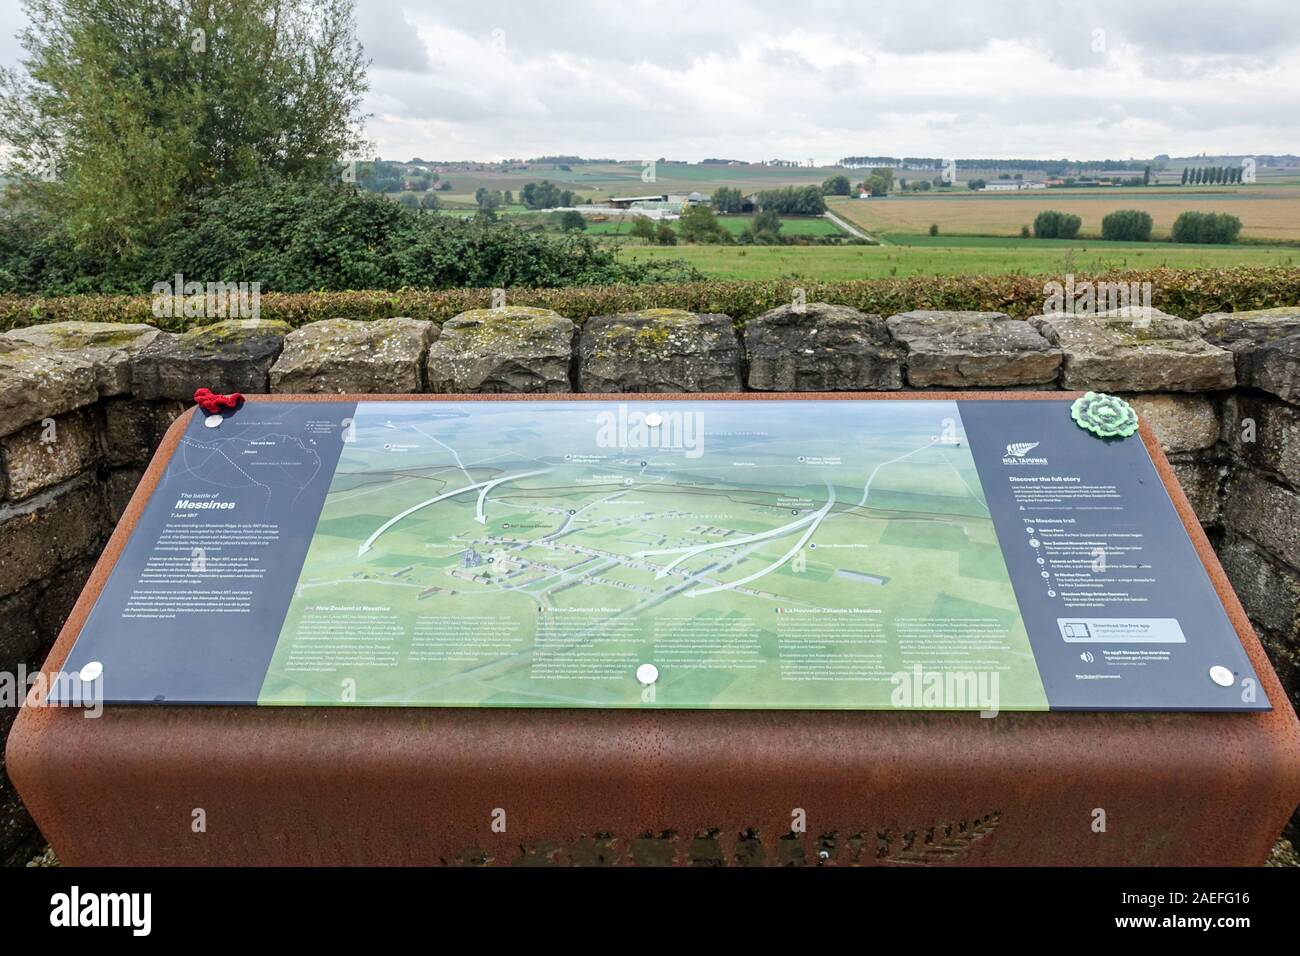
<point>219,785</point>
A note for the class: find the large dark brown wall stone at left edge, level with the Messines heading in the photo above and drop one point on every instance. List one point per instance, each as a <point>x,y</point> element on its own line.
<point>50,533</point>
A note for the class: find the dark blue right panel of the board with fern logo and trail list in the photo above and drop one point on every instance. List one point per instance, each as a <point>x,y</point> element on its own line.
<point>1117,604</point>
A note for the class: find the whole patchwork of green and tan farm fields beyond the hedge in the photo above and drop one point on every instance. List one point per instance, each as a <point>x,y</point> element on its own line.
<point>978,232</point>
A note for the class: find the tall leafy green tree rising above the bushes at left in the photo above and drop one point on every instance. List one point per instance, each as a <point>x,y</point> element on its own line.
<point>125,110</point>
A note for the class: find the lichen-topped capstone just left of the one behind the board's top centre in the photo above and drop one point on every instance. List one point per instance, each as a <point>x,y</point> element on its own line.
<point>514,349</point>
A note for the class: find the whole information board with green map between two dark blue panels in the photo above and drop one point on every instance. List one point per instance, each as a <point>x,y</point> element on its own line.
<point>778,555</point>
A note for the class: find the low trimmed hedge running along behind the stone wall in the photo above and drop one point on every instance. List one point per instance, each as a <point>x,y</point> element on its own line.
<point>1188,293</point>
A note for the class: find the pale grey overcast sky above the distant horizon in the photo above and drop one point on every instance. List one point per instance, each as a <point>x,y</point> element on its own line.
<point>817,79</point>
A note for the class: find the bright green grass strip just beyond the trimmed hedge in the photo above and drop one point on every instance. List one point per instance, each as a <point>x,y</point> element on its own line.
<point>937,257</point>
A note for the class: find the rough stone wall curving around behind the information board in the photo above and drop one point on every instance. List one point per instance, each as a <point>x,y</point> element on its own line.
<point>83,408</point>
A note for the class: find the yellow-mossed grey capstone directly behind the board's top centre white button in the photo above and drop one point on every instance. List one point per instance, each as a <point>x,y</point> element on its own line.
<point>660,351</point>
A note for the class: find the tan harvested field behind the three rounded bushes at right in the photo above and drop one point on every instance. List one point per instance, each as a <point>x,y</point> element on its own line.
<point>1267,213</point>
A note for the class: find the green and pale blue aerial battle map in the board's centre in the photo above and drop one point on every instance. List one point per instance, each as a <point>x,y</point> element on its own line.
<point>752,555</point>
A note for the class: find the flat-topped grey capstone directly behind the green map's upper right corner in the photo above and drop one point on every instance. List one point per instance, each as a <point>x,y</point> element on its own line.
<point>973,349</point>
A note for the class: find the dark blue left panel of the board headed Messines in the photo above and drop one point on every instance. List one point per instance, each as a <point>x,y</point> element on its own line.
<point>177,626</point>
